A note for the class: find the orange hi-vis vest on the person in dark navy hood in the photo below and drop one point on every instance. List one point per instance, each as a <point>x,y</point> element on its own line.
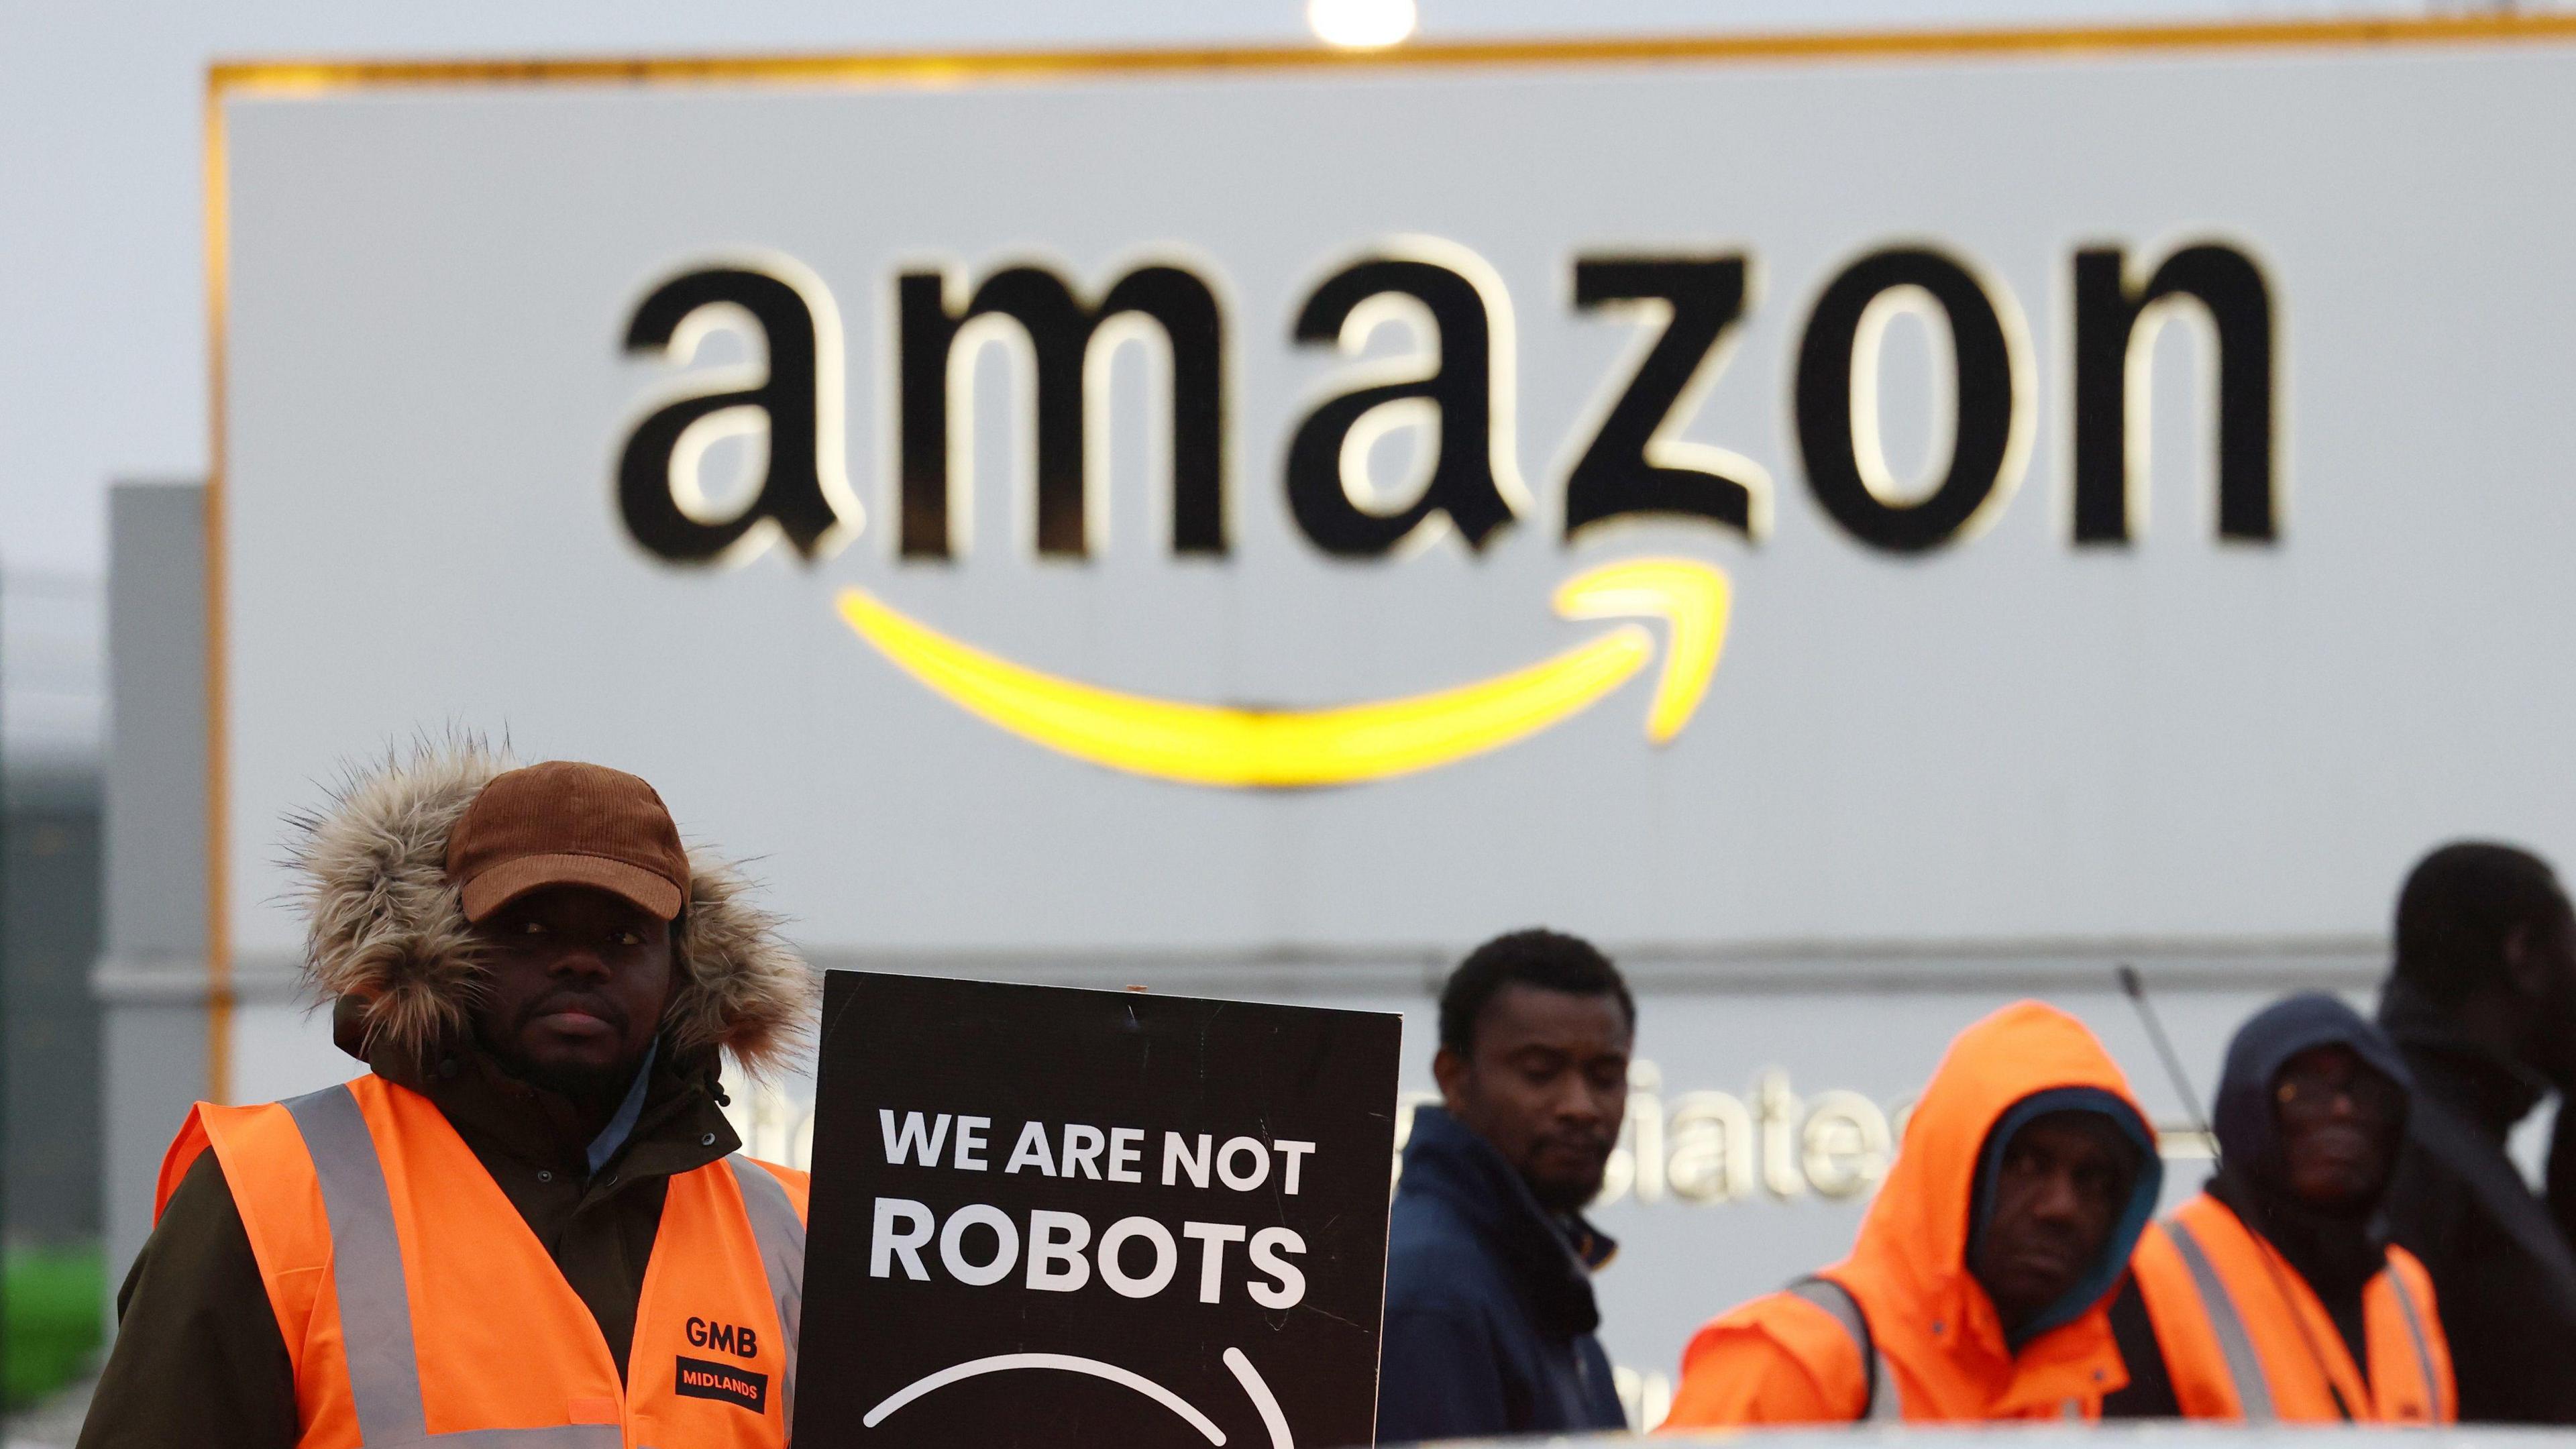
<point>2248,1339</point>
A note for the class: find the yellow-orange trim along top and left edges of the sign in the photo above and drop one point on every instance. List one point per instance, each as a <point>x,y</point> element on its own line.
<point>287,79</point>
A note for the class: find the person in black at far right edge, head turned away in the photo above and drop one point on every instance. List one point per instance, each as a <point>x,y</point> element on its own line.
<point>2482,1004</point>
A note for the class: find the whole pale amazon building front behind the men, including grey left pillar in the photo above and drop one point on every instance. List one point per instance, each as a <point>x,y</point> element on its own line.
<point>1861,527</point>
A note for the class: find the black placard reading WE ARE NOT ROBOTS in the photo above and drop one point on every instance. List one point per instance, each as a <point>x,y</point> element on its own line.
<point>1287,1113</point>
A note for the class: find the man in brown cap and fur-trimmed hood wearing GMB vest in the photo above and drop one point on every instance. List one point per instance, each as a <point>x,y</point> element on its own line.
<point>527,1226</point>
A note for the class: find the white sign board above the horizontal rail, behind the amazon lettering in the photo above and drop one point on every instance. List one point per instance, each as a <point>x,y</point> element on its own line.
<point>431,380</point>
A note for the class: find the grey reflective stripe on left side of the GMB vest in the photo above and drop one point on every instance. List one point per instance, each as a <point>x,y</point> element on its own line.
<point>375,1301</point>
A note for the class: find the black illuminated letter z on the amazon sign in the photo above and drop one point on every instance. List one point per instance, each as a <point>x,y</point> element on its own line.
<point>1634,465</point>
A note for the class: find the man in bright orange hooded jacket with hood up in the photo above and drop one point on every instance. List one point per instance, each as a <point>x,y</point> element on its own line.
<point>1982,1278</point>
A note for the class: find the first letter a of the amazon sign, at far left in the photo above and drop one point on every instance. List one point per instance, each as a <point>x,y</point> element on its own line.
<point>795,401</point>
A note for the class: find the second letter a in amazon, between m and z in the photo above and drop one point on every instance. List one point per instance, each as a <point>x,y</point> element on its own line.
<point>1462,391</point>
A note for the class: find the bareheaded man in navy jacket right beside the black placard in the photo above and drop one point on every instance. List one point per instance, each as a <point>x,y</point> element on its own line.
<point>1490,1265</point>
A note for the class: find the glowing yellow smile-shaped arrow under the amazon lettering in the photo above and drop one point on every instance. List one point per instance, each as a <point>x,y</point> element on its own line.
<point>1351,744</point>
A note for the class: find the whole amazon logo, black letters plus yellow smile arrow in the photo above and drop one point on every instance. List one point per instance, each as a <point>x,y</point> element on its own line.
<point>1459,396</point>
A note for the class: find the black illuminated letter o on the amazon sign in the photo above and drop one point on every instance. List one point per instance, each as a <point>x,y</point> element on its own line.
<point>1838,401</point>
